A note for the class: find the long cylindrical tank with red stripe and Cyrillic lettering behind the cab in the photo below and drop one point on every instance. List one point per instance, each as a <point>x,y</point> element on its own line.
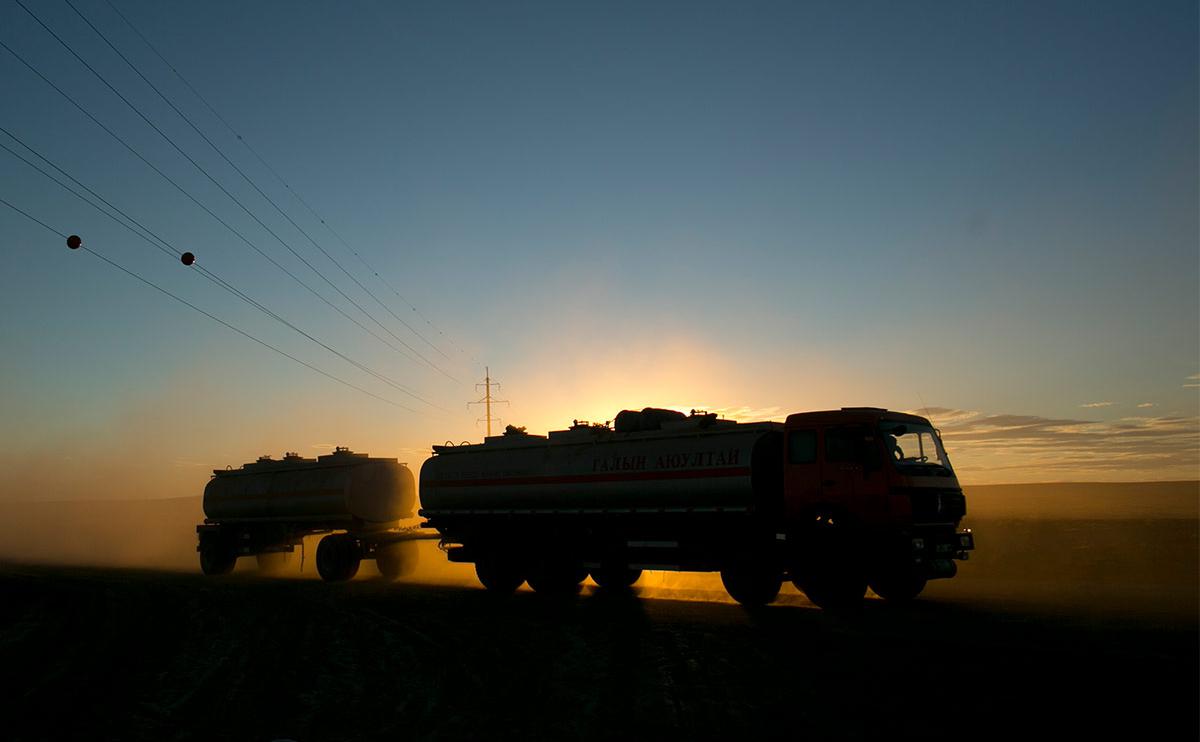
<point>682,468</point>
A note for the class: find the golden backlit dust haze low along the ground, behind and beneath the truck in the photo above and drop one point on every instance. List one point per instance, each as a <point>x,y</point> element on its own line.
<point>1133,546</point>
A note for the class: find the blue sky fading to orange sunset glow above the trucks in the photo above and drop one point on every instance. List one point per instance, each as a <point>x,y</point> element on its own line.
<point>986,213</point>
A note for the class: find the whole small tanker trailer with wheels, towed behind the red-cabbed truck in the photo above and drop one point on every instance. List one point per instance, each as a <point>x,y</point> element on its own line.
<point>266,508</point>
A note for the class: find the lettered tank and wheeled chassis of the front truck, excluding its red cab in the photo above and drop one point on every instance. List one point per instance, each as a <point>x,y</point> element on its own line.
<point>659,490</point>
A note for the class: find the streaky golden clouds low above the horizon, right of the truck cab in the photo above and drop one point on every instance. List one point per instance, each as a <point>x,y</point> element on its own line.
<point>1033,448</point>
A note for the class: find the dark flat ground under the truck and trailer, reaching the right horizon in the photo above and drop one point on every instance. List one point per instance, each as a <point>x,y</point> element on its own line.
<point>1069,629</point>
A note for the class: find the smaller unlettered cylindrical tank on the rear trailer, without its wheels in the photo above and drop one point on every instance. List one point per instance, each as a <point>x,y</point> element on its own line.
<point>340,488</point>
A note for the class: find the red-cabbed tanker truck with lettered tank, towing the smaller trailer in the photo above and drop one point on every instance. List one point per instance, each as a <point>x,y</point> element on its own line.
<point>833,501</point>
